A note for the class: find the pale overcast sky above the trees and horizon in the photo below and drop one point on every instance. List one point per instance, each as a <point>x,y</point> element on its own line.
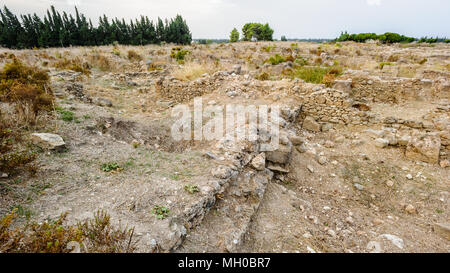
<point>293,18</point>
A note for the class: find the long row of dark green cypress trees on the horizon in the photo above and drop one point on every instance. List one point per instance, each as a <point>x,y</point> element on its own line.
<point>62,30</point>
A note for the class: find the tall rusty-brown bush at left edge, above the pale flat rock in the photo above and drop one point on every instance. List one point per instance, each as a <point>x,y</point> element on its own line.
<point>27,89</point>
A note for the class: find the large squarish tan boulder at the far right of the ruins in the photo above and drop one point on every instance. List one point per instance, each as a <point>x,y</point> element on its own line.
<point>424,148</point>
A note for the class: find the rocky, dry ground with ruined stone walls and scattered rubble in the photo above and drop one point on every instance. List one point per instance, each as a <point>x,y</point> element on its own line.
<point>362,165</point>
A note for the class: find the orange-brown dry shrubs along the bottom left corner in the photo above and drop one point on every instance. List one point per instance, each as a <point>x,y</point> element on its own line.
<point>95,235</point>
